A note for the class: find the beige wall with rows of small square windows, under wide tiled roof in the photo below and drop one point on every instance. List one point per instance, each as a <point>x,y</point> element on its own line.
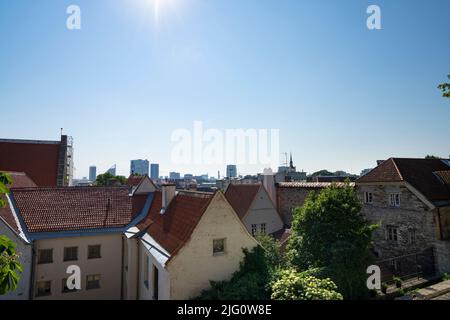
<point>107,269</point>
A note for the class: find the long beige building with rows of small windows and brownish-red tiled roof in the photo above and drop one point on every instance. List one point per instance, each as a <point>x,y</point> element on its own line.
<point>76,226</point>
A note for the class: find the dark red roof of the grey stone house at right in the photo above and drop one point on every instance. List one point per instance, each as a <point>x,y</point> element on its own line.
<point>428,176</point>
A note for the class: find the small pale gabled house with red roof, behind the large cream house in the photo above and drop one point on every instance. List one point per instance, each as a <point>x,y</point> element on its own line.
<point>254,207</point>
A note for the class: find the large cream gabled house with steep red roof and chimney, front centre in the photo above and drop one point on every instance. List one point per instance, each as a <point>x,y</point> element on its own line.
<point>186,240</point>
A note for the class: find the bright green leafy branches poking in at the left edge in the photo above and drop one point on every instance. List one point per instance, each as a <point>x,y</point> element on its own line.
<point>9,263</point>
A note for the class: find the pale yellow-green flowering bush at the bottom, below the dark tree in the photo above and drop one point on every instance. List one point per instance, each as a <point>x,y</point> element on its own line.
<point>292,285</point>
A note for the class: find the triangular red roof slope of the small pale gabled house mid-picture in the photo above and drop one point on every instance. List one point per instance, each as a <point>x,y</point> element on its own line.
<point>241,197</point>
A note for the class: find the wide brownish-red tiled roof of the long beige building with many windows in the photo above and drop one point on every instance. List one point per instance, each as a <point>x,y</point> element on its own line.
<point>73,208</point>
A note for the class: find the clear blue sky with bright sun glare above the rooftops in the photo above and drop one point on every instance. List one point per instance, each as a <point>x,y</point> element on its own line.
<point>342,96</point>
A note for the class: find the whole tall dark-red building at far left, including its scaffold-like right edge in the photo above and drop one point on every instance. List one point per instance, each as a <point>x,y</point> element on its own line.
<point>47,163</point>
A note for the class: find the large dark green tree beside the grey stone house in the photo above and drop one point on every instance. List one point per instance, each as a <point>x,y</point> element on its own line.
<point>329,232</point>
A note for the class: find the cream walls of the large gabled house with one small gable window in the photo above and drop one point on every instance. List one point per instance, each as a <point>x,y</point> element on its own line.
<point>191,269</point>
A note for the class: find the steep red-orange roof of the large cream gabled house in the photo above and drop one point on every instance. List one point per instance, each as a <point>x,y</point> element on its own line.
<point>174,228</point>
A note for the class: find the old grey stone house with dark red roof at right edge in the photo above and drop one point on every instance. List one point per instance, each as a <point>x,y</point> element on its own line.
<point>410,200</point>
